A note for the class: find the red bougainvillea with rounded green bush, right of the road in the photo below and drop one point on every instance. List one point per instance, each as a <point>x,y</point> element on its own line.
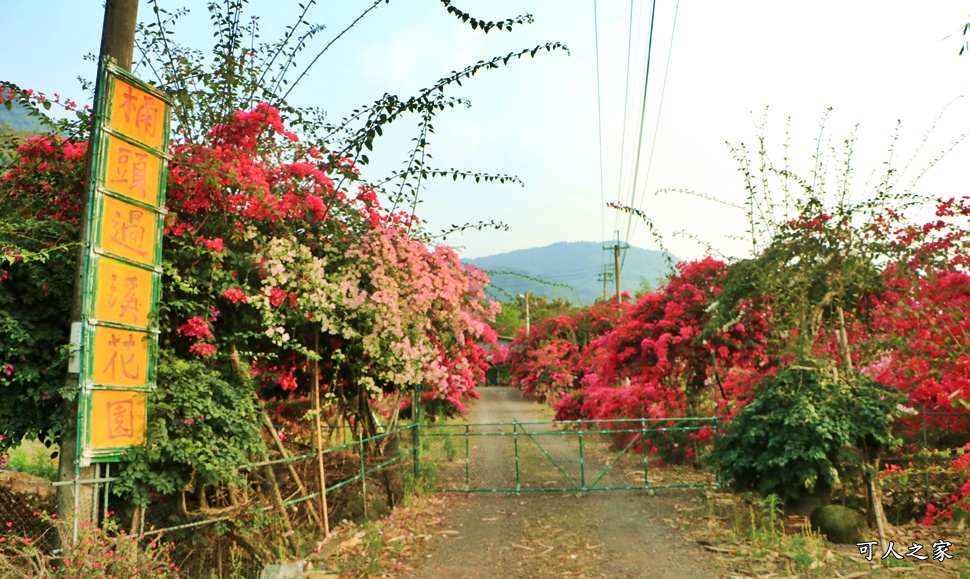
<point>846,315</point>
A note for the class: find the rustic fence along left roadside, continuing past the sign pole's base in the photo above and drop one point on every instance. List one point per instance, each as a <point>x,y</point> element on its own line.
<point>237,530</point>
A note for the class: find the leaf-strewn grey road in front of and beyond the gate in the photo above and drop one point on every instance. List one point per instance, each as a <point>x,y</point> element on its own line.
<point>614,534</point>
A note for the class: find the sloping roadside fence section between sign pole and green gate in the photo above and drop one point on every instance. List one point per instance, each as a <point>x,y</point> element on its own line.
<point>238,532</point>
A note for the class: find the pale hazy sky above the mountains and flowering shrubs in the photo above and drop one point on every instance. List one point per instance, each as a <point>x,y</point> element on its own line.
<point>873,63</point>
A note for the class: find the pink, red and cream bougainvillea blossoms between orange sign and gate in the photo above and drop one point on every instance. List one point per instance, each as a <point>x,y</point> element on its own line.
<point>290,256</point>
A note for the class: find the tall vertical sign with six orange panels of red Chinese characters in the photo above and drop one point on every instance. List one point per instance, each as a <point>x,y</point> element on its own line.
<point>123,266</point>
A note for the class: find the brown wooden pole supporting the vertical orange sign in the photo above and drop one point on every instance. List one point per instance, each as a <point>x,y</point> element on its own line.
<point>117,43</point>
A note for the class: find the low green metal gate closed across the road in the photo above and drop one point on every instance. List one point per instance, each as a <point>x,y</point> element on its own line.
<point>568,456</point>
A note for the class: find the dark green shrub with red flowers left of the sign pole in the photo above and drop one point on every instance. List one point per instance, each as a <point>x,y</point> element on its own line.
<point>39,205</point>
